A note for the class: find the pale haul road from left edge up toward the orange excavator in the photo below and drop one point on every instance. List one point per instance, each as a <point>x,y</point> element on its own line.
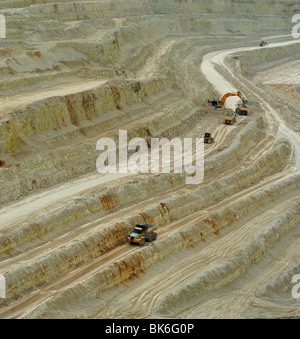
<point>49,200</point>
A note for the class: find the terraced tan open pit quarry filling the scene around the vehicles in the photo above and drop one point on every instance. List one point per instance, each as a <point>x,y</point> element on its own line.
<point>72,72</point>
